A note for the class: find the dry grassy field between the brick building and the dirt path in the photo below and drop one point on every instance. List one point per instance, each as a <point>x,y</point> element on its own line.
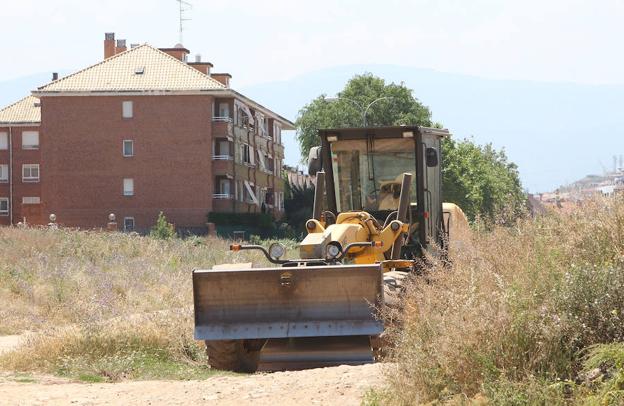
<point>104,306</point>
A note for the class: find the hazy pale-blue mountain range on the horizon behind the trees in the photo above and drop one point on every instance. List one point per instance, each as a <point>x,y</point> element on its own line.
<point>555,132</point>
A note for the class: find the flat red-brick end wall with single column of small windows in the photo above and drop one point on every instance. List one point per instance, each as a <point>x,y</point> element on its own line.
<point>83,166</point>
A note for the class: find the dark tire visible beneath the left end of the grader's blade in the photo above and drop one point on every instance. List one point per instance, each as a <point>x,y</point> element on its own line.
<point>233,355</point>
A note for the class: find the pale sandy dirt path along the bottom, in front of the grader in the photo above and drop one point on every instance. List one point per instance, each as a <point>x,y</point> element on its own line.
<point>343,385</point>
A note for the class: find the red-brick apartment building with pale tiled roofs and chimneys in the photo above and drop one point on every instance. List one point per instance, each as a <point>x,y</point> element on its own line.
<point>141,132</point>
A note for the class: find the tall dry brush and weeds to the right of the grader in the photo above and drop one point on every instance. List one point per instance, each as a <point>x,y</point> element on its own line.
<point>530,314</point>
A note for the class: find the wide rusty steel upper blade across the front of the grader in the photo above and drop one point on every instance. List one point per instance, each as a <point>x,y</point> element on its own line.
<point>287,302</point>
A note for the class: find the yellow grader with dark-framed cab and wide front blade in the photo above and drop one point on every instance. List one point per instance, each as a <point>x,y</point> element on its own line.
<point>377,212</point>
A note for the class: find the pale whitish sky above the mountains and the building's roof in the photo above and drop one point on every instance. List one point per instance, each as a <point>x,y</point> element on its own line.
<point>261,41</point>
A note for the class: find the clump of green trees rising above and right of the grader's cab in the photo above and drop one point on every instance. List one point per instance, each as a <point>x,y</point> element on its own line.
<point>478,178</point>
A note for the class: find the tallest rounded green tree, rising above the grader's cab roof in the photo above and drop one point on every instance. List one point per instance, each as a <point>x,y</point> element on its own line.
<point>392,105</point>
